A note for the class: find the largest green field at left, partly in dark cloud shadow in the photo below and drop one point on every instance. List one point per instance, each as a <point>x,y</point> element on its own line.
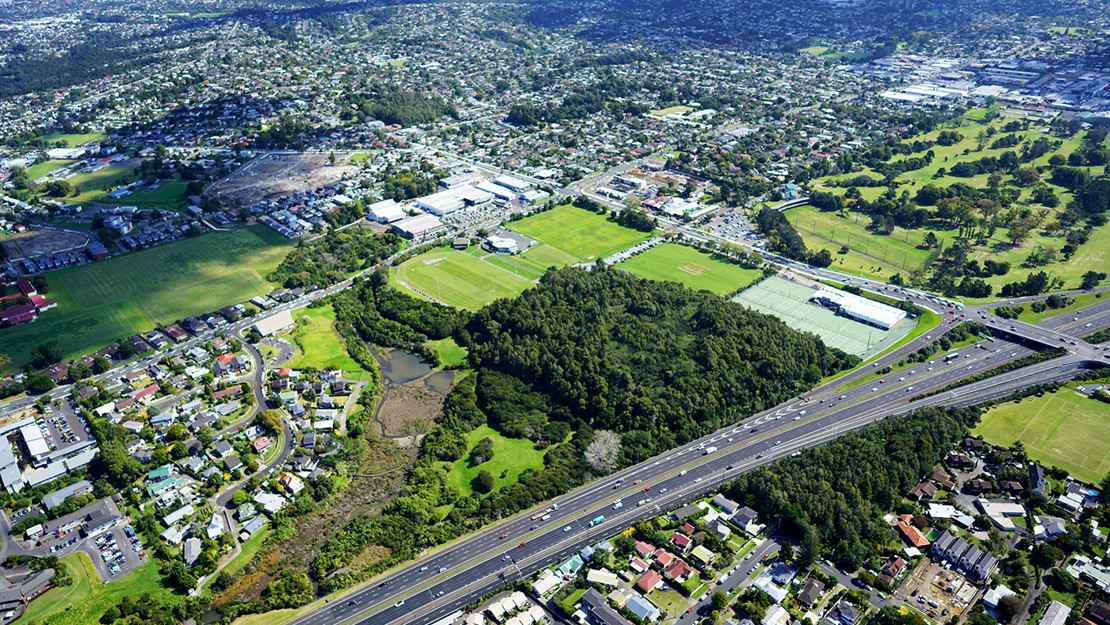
<point>108,300</point>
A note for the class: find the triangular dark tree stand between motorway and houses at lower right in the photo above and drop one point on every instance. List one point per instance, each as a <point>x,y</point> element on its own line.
<point>837,493</point>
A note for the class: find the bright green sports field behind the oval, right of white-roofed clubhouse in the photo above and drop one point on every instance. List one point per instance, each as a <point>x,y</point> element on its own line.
<point>569,235</point>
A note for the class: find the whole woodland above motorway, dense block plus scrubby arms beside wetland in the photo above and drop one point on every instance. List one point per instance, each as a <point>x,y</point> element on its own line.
<point>655,362</point>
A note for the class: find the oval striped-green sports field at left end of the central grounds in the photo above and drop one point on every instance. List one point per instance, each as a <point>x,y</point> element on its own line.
<point>458,279</point>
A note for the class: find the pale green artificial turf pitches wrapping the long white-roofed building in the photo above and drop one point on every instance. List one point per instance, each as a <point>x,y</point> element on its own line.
<point>789,301</point>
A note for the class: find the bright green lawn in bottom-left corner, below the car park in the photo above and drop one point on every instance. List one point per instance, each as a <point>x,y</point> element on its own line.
<point>86,600</point>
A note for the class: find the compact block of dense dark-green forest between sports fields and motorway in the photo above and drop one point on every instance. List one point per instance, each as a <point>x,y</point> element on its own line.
<point>658,362</point>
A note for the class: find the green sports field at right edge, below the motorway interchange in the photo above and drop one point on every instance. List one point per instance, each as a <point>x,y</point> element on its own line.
<point>1062,429</point>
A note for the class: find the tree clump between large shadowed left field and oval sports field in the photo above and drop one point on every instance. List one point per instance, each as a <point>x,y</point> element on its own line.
<point>331,258</point>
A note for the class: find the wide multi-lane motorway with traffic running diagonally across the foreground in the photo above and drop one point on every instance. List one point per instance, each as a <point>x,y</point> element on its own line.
<point>441,583</point>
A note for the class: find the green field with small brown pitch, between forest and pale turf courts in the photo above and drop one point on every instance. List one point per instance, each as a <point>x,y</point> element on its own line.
<point>690,267</point>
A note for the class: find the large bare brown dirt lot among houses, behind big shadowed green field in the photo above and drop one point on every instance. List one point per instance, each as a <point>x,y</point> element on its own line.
<point>276,176</point>
